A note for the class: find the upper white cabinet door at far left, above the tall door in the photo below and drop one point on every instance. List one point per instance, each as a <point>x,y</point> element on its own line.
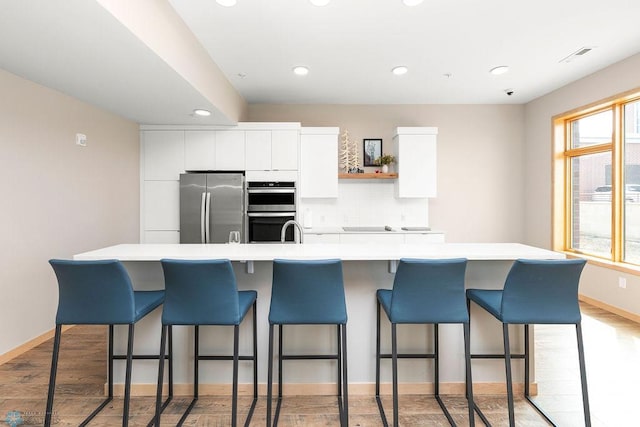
<point>163,154</point>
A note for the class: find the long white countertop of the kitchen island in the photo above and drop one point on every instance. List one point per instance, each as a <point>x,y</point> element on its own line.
<point>346,252</point>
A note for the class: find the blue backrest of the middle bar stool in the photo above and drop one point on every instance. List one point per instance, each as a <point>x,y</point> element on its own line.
<point>308,292</point>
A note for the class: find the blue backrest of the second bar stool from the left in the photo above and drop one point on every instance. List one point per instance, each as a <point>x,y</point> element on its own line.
<point>200,292</point>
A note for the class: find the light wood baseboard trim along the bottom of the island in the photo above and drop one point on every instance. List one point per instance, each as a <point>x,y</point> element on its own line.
<point>324,389</point>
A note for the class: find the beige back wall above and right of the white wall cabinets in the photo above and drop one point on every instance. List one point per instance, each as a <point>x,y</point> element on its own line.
<point>480,158</point>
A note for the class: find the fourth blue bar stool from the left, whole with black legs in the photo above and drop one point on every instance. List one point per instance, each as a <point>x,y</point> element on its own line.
<point>424,292</point>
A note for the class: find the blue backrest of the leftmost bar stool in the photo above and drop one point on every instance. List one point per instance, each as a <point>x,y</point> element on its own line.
<point>93,292</point>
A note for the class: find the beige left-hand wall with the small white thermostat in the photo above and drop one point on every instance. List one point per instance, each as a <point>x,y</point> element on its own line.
<point>58,198</point>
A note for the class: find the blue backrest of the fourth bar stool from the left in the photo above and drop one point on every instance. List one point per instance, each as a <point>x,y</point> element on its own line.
<point>429,291</point>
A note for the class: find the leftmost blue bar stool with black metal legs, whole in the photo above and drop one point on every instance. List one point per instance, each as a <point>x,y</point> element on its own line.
<point>100,293</point>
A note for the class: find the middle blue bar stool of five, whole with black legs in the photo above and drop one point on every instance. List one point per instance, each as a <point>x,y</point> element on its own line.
<point>308,293</point>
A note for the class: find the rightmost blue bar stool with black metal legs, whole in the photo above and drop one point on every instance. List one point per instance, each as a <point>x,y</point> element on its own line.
<point>535,292</point>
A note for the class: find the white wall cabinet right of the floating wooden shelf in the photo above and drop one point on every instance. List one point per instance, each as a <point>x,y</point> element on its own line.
<point>415,151</point>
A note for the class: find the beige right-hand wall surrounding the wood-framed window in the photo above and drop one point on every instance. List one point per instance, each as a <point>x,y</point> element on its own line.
<point>597,282</point>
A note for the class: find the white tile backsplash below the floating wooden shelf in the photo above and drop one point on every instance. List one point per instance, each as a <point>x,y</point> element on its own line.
<point>366,204</point>
